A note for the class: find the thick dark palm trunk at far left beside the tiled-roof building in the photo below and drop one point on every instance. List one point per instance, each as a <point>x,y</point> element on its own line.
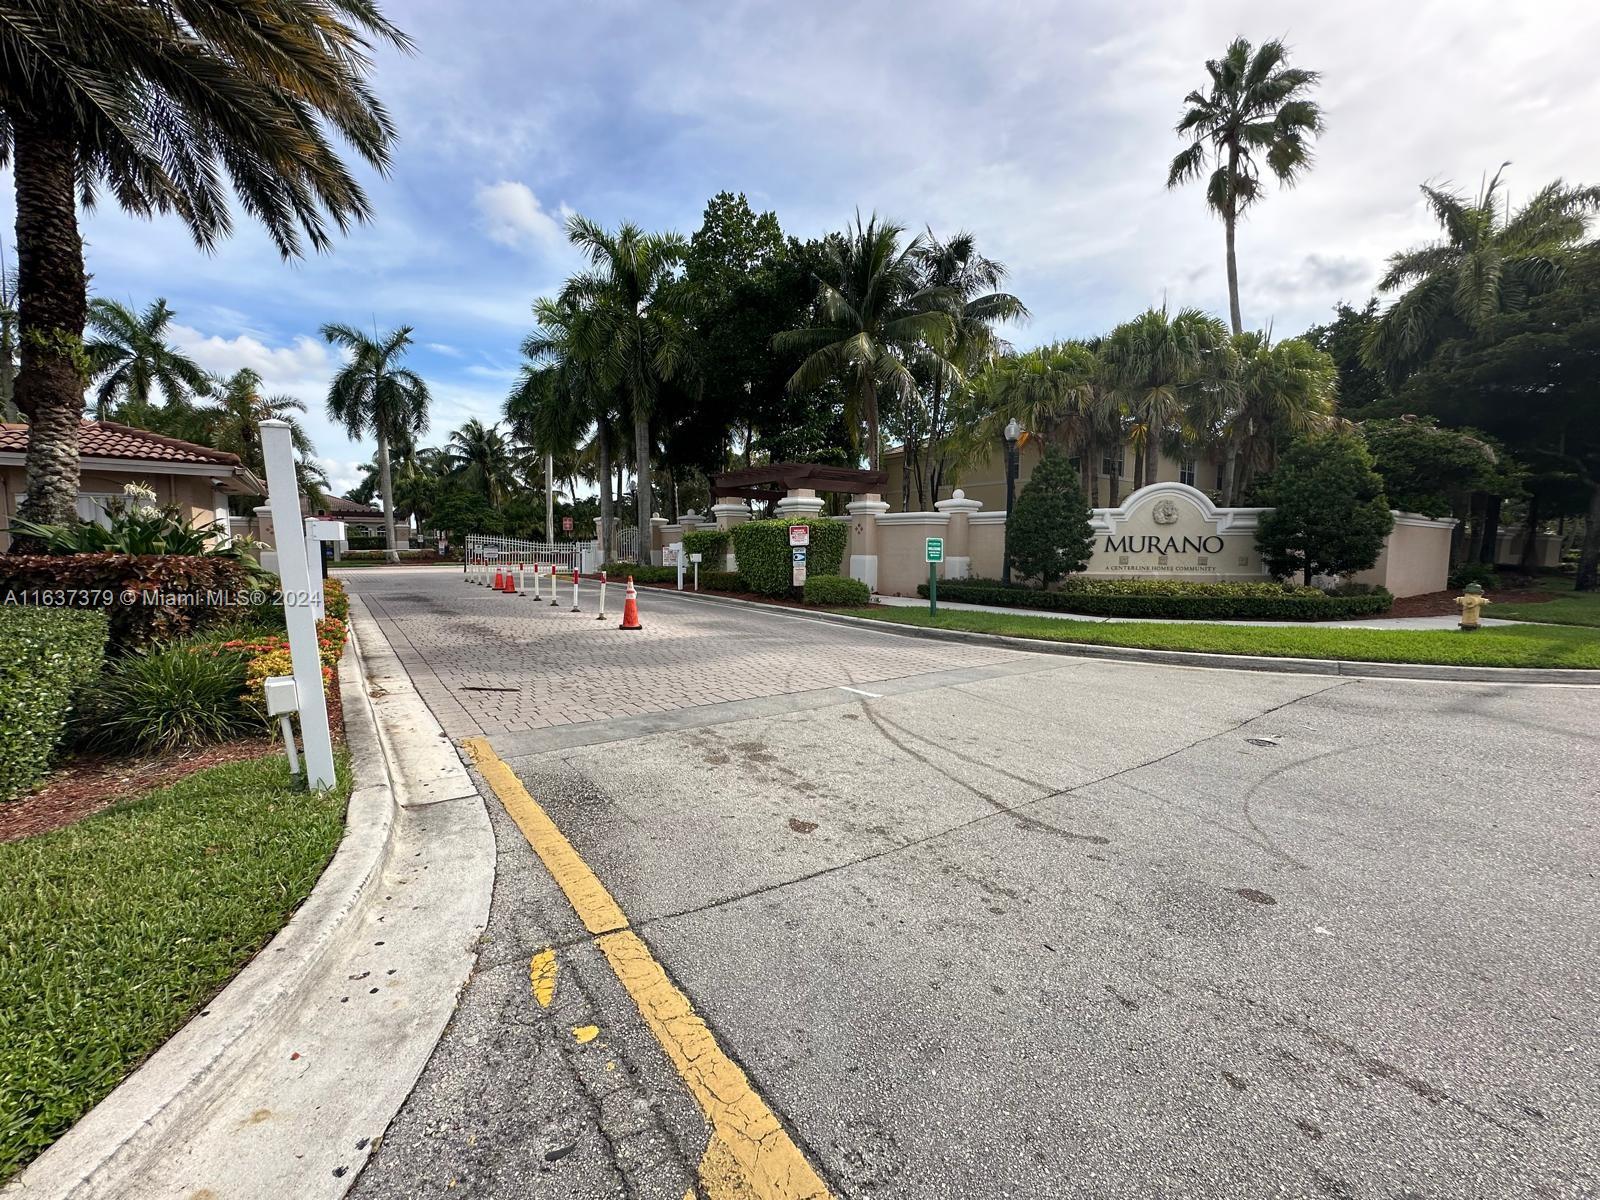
<point>52,310</point>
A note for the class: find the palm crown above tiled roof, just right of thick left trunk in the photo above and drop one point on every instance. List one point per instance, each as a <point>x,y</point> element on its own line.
<point>132,361</point>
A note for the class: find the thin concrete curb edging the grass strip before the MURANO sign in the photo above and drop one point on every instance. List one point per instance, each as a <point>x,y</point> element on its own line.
<point>1185,658</point>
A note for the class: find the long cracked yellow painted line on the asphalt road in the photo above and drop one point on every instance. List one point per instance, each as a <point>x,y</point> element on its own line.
<point>750,1156</point>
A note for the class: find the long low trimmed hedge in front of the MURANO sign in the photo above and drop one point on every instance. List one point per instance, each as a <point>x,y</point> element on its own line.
<point>1190,606</point>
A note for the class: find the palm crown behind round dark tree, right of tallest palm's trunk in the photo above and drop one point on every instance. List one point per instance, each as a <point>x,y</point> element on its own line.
<point>1279,393</point>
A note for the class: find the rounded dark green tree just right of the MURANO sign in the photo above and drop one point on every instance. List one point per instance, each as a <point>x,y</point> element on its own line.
<point>1329,510</point>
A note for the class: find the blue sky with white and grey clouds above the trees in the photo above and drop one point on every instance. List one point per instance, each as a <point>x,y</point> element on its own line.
<point>1046,129</point>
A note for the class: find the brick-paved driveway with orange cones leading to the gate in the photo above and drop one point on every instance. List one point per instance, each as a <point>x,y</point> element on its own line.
<point>490,663</point>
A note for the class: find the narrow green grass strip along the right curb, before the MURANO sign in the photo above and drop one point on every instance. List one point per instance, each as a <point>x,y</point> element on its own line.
<point>1503,647</point>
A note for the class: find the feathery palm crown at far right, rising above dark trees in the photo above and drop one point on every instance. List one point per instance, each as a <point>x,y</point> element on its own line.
<point>1490,262</point>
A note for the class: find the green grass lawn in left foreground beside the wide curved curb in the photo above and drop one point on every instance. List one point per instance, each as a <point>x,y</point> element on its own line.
<point>116,930</point>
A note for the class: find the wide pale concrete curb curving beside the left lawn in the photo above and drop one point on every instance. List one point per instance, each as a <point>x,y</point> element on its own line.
<point>287,1081</point>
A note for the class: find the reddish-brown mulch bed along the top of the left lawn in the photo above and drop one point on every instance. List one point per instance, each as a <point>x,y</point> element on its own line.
<point>92,783</point>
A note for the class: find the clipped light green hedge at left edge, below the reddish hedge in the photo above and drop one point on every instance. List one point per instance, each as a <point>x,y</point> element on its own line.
<point>50,655</point>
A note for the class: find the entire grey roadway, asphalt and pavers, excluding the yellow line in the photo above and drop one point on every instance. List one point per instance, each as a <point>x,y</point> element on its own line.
<point>1025,926</point>
